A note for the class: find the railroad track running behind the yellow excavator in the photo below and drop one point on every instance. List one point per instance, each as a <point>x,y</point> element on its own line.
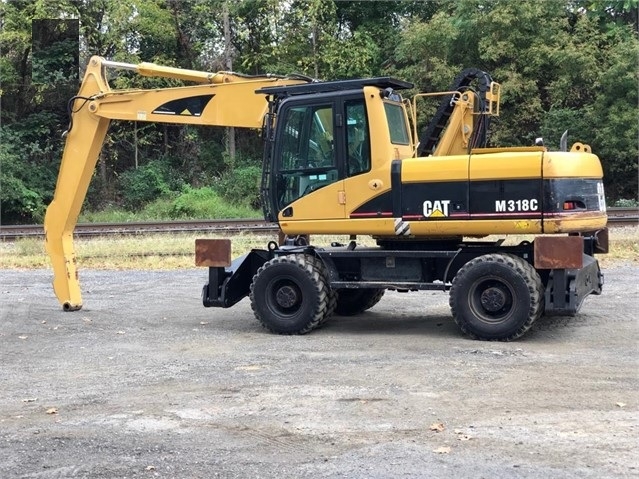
<point>616,217</point>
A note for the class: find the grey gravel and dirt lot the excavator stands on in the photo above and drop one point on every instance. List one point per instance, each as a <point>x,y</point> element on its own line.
<point>145,382</point>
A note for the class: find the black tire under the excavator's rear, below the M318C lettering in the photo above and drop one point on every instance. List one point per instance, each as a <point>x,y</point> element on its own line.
<point>496,297</point>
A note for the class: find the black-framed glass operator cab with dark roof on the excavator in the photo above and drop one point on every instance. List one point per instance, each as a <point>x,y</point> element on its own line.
<point>322,135</point>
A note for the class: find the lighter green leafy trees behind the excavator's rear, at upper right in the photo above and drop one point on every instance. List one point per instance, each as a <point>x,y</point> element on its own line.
<point>561,68</point>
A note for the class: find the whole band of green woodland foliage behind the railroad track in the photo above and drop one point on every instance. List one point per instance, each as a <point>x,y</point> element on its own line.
<point>562,65</point>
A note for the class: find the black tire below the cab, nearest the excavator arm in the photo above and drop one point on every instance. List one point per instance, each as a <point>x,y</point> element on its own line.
<point>290,295</point>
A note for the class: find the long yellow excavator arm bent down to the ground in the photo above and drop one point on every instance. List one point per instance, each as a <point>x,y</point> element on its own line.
<point>216,99</point>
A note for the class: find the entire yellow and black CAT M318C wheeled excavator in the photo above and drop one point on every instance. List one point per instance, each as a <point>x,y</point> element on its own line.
<point>344,158</point>
